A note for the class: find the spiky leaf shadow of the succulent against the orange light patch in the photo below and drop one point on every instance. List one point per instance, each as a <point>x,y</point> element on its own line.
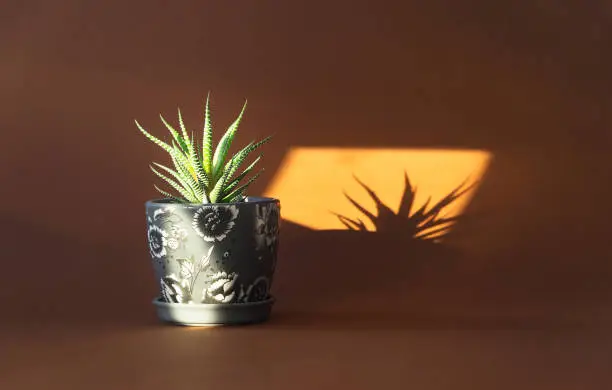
<point>423,224</point>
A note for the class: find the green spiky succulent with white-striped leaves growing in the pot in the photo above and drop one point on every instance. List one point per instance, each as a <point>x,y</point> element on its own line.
<point>201,175</point>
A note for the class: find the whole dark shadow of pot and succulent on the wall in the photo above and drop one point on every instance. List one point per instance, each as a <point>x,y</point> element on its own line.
<point>402,266</point>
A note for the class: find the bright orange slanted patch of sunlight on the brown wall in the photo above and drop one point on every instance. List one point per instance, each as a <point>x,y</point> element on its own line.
<point>311,181</point>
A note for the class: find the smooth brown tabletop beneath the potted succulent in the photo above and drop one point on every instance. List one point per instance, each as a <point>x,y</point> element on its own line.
<point>309,350</point>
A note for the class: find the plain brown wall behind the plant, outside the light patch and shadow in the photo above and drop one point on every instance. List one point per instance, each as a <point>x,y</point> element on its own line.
<point>528,81</point>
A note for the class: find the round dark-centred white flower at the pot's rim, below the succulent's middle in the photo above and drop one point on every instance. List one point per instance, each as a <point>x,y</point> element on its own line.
<point>213,223</point>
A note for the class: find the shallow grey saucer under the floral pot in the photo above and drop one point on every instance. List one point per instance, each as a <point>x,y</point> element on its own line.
<point>203,314</point>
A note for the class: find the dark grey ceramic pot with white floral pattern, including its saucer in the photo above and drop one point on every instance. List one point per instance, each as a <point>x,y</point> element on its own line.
<point>214,262</point>
